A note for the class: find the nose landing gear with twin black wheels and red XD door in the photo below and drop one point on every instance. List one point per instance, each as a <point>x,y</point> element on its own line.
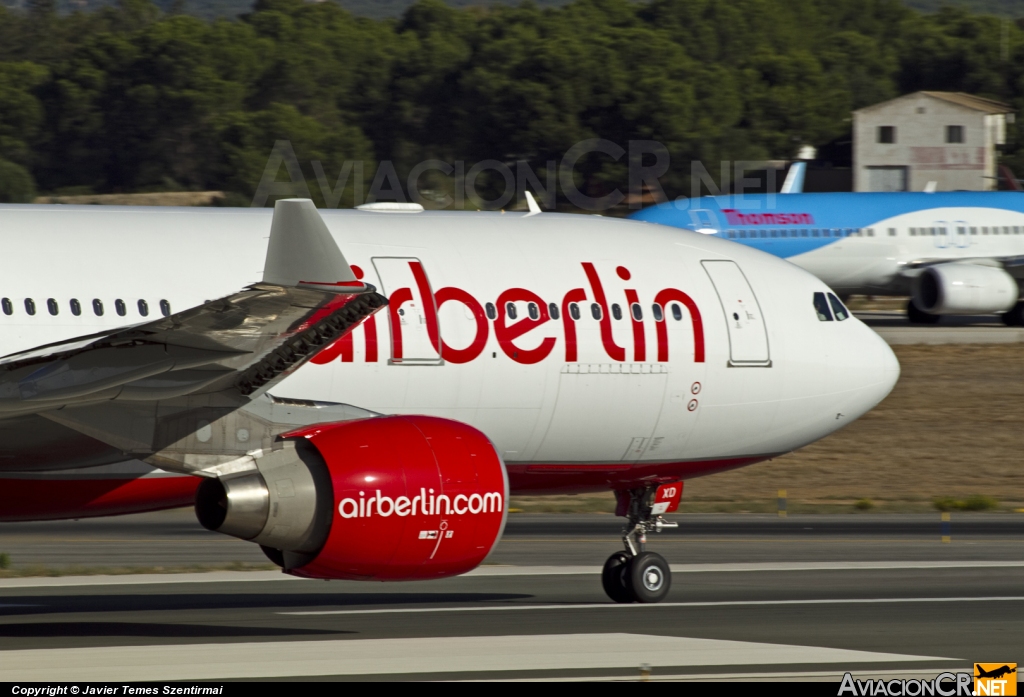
<point>637,576</point>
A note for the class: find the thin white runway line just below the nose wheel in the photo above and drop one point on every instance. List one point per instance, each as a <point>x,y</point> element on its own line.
<point>710,604</point>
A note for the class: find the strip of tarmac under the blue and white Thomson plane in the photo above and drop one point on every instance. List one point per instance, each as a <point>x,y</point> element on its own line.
<point>894,328</point>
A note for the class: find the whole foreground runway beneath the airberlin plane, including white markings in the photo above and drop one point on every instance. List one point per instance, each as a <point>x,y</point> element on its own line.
<point>754,597</point>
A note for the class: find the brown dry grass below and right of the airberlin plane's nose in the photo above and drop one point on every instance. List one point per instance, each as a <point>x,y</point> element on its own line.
<point>954,427</point>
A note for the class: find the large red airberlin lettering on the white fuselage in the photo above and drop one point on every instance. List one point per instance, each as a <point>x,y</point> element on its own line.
<point>507,334</point>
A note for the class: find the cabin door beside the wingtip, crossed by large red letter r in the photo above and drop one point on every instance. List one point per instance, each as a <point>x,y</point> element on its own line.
<point>412,313</point>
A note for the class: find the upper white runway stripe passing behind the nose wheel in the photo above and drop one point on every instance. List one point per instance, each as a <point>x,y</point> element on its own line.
<point>235,577</point>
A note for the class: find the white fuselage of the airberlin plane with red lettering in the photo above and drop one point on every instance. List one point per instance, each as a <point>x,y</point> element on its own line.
<point>773,377</point>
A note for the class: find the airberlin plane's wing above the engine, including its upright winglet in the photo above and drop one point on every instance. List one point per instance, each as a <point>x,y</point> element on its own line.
<point>236,347</point>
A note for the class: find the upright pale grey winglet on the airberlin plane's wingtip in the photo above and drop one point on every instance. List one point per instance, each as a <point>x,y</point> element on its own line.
<point>302,250</point>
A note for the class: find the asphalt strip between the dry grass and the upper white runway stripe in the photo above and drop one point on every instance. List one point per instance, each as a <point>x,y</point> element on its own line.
<point>175,539</point>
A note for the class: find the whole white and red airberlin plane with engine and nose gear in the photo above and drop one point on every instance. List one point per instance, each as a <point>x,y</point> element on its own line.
<point>367,416</point>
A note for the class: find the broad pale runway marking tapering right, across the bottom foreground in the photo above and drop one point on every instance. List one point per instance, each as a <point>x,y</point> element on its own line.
<point>426,656</point>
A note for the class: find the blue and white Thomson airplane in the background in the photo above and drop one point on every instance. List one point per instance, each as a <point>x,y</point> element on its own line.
<point>956,253</point>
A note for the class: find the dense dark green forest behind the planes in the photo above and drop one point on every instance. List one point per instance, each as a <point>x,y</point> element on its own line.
<point>134,99</point>
